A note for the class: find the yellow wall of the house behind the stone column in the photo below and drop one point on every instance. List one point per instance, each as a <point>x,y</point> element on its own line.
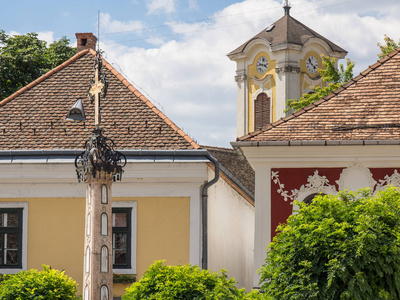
<point>56,233</point>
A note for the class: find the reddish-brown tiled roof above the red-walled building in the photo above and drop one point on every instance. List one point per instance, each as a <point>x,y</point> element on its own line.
<point>366,108</point>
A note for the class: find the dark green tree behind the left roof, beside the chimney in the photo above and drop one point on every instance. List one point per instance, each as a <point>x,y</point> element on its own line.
<point>23,58</point>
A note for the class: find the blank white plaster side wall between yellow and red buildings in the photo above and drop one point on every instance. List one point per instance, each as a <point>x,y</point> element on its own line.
<point>230,233</point>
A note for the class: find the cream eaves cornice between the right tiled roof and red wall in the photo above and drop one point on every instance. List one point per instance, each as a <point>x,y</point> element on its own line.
<point>279,154</point>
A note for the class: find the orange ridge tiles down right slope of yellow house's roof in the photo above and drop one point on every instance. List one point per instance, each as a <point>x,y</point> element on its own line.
<point>143,98</point>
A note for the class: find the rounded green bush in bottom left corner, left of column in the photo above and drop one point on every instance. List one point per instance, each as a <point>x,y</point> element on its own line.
<point>48,284</point>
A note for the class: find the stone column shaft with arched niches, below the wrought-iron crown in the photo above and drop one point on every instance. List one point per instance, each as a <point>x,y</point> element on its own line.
<point>98,272</point>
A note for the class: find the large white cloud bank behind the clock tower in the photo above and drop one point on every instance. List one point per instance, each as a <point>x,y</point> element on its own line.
<point>194,80</point>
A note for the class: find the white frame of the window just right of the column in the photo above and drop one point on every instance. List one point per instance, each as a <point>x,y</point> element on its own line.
<point>133,205</point>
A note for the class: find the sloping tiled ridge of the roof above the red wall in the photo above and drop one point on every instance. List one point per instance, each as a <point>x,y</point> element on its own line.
<point>334,93</point>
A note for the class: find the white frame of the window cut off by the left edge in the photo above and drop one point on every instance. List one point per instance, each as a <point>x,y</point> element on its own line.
<point>24,206</point>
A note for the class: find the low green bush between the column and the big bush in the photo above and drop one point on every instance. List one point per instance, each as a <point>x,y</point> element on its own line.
<point>185,282</point>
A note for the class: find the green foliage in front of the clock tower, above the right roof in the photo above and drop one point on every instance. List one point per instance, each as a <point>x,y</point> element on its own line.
<point>334,77</point>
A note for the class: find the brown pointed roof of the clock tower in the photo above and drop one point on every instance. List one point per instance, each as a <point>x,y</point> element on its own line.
<point>287,30</point>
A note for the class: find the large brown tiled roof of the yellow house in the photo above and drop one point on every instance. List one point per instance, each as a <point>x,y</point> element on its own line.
<point>34,116</point>
